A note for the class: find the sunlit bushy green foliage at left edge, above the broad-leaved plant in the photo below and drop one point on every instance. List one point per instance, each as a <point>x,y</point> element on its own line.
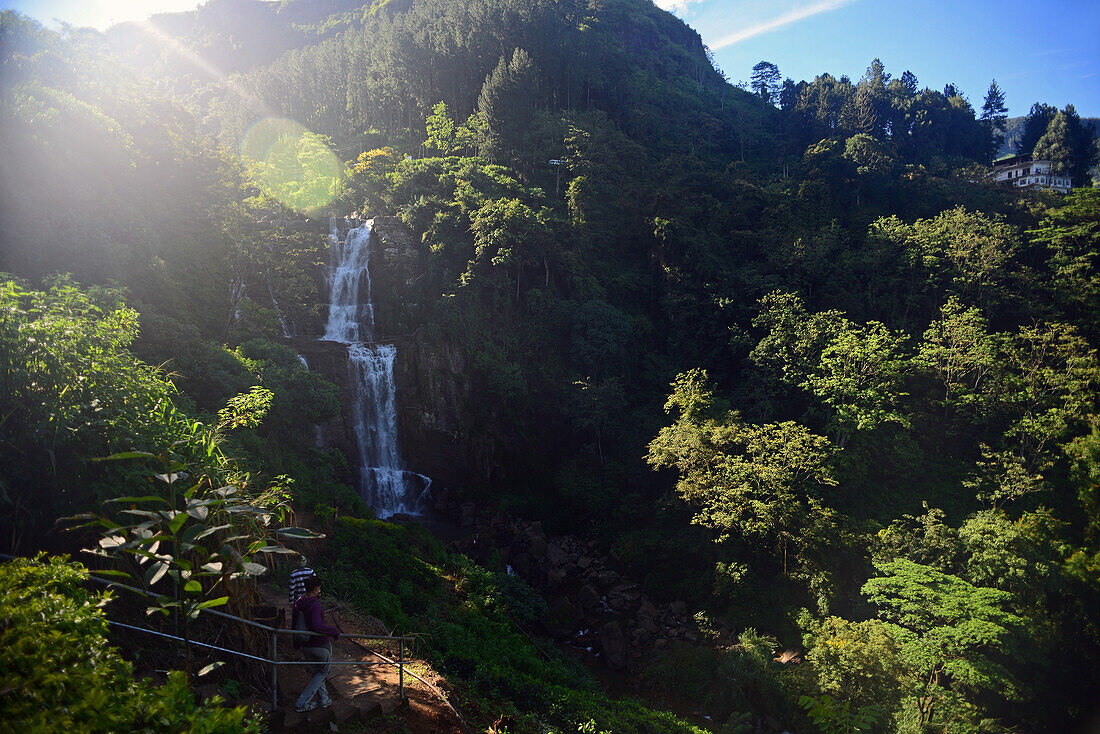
<point>70,391</point>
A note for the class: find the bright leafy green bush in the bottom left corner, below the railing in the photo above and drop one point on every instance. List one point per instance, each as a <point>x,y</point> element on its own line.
<point>61,674</point>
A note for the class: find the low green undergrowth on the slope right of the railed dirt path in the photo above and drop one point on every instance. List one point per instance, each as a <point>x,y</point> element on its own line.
<point>474,621</point>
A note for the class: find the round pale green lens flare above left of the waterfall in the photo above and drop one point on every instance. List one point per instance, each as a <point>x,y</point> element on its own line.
<point>293,166</point>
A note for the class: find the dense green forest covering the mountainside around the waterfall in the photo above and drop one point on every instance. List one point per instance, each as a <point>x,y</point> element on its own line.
<point>784,354</point>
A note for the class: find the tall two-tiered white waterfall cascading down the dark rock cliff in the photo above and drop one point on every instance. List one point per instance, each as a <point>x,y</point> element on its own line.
<point>383,480</point>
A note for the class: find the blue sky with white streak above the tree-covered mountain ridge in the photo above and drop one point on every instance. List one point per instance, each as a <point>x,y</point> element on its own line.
<point>1043,51</point>
